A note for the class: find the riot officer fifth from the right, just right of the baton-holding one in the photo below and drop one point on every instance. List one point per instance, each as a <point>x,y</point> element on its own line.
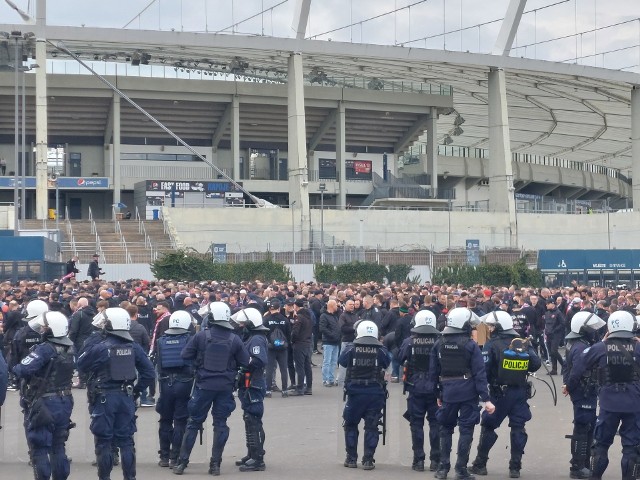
<point>415,354</point>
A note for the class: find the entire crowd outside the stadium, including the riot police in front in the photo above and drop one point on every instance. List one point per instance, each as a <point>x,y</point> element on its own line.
<point>185,347</point>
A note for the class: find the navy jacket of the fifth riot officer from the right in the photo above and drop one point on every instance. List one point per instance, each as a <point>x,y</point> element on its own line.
<point>415,354</point>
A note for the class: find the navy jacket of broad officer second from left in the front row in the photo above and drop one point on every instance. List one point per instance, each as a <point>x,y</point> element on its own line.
<point>113,363</point>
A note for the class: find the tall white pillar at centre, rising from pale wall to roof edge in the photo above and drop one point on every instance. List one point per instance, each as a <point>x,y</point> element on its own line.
<point>297,146</point>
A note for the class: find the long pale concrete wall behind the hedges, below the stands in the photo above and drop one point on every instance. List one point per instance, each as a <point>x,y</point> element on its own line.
<point>258,229</point>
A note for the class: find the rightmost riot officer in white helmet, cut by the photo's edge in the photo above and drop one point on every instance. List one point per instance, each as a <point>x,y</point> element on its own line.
<point>617,359</point>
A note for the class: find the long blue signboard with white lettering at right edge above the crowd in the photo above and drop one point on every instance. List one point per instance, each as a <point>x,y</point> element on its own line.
<point>589,259</point>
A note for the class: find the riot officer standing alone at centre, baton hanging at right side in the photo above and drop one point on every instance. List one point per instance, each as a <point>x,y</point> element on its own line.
<point>365,360</point>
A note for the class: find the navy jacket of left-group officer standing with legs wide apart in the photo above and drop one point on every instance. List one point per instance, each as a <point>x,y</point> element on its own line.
<point>217,354</point>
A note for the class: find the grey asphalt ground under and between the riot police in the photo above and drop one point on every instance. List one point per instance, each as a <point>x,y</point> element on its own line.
<point>304,440</point>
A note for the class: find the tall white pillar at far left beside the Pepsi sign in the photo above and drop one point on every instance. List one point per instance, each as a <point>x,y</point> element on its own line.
<point>42,139</point>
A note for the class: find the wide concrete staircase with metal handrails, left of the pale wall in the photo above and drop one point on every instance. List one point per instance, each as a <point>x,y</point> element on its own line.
<point>117,242</point>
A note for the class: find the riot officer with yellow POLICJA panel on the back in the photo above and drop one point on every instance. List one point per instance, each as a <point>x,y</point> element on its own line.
<point>508,360</point>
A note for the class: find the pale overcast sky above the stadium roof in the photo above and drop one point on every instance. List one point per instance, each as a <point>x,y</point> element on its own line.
<point>422,25</point>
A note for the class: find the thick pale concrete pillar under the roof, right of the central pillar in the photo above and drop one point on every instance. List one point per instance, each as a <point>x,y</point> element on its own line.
<point>501,191</point>
